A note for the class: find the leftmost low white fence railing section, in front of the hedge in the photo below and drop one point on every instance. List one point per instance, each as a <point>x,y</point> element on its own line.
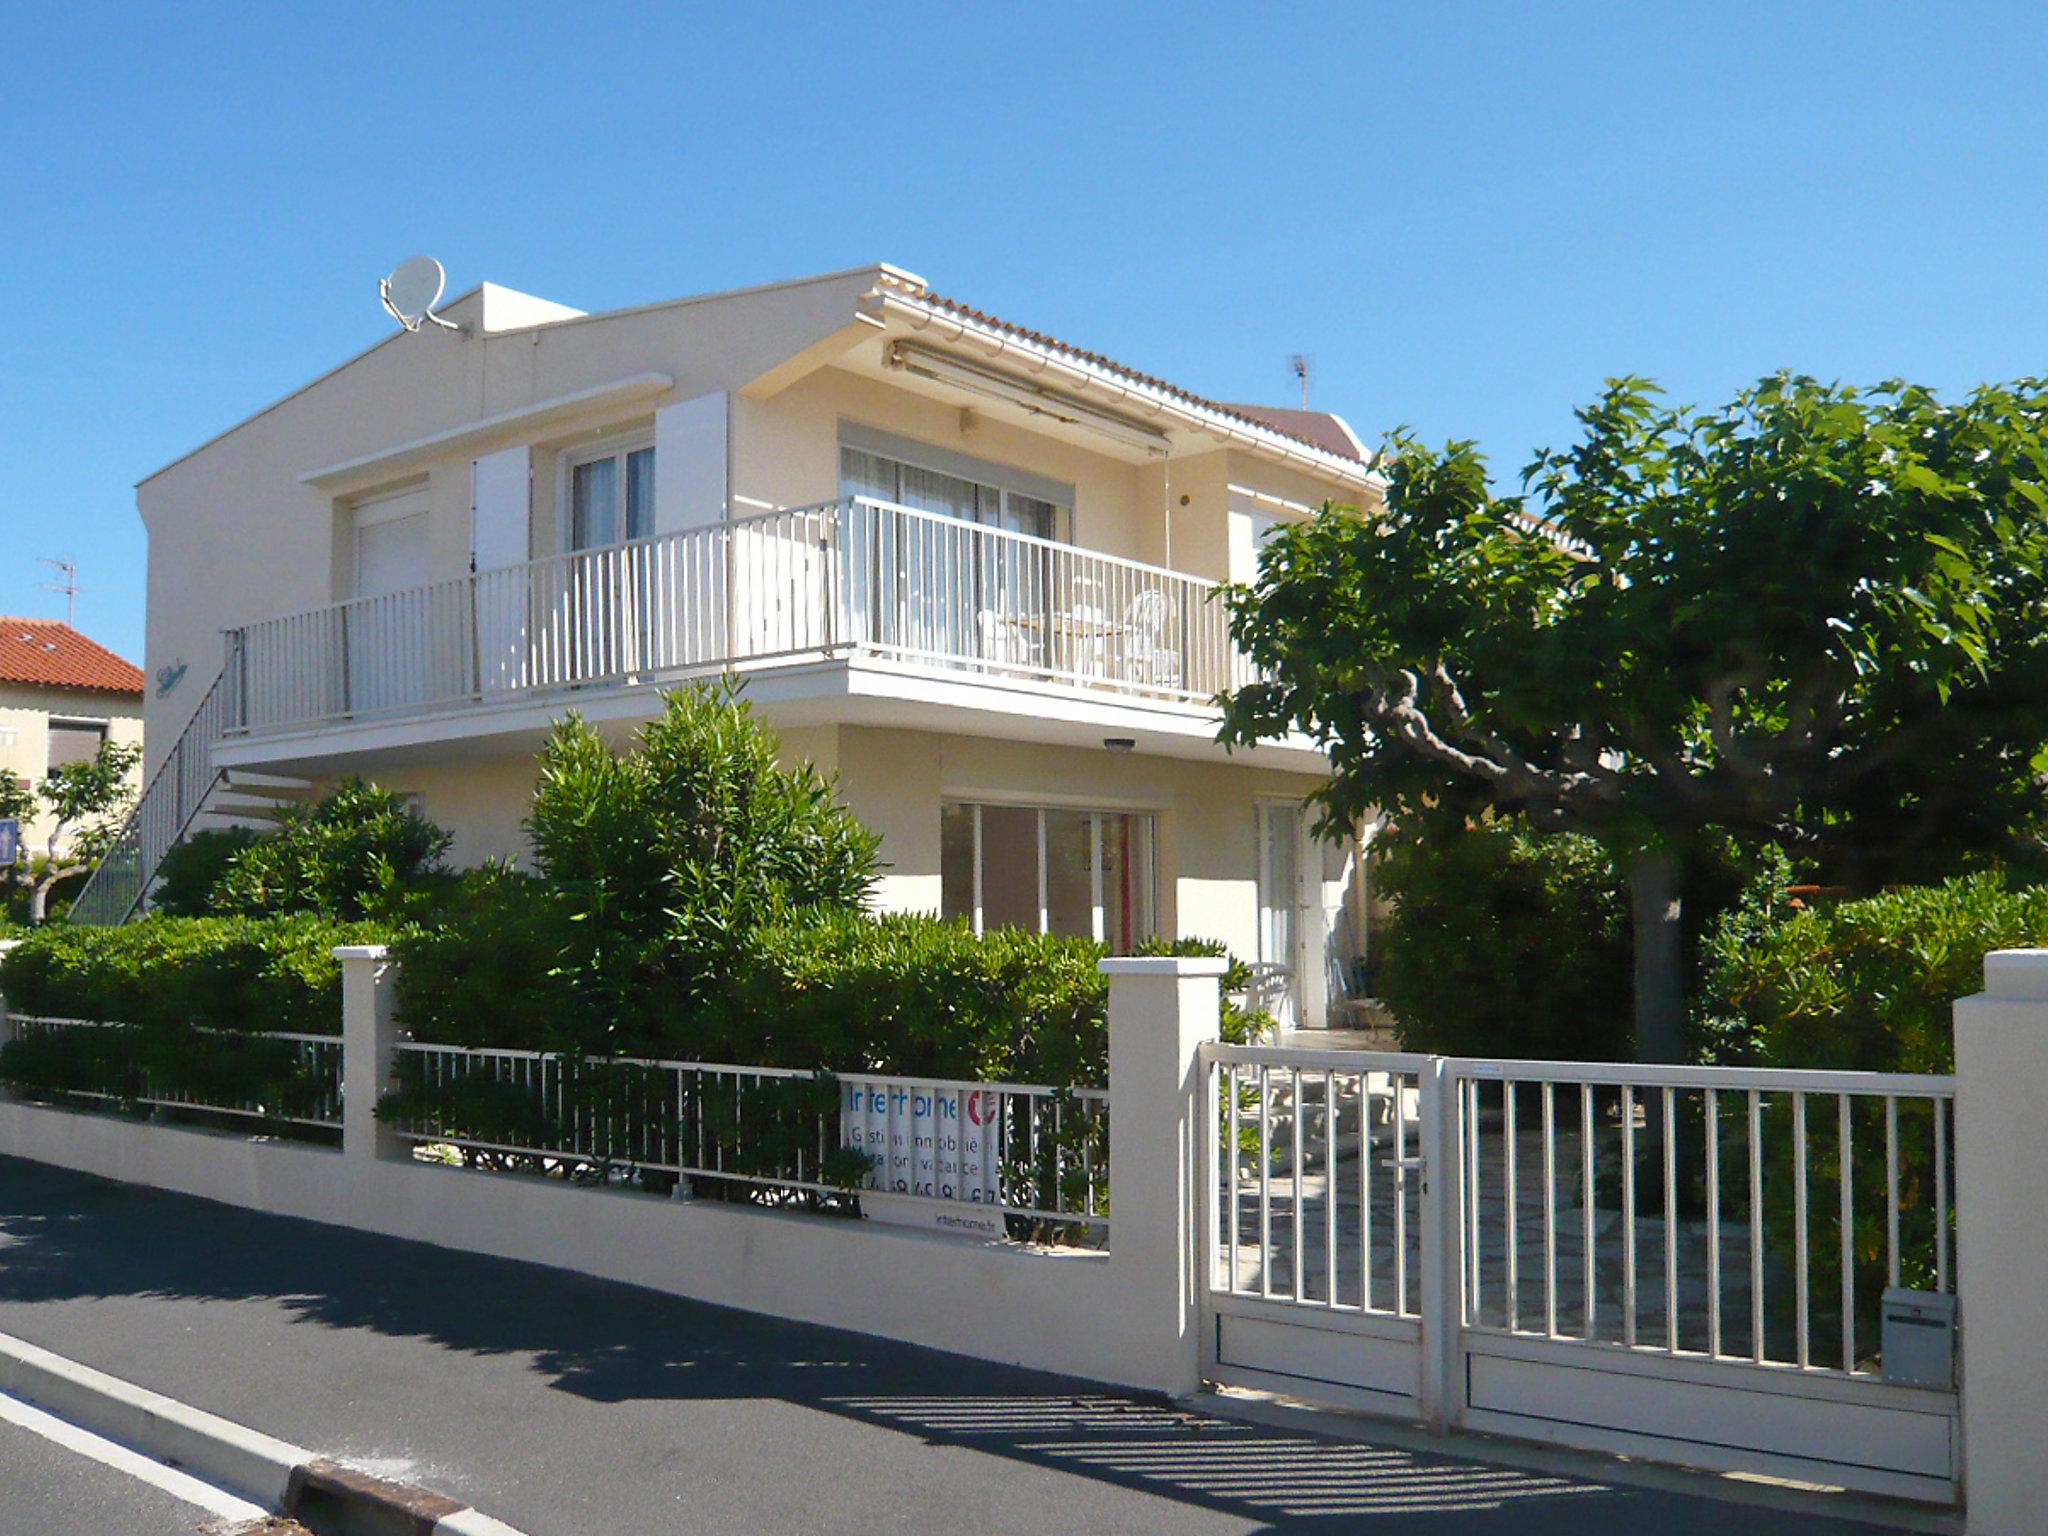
<point>206,1070</point>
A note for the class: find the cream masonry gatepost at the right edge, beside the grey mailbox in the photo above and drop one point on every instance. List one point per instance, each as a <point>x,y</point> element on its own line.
<point>2002,1242</point>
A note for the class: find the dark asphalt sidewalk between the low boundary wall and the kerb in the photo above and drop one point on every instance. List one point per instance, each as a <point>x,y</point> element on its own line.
<point>577,1408</point>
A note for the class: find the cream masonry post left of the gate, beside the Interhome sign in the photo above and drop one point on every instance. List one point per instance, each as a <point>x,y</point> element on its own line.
<point>1162,1013</point>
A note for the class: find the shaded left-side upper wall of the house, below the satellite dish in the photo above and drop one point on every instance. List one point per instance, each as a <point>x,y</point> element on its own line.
<point>237,536</point>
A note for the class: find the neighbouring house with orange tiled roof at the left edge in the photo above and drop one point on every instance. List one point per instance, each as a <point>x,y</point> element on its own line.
<point>60,697</point>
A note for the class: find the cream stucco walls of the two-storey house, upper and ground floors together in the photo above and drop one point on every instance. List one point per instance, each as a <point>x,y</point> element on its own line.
<point>239,534</point>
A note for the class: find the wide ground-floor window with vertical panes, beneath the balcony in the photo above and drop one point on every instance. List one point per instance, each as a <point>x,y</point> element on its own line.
<point>1050,869</point>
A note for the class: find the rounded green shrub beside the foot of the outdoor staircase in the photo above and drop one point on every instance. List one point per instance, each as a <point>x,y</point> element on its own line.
<point>343,857</point>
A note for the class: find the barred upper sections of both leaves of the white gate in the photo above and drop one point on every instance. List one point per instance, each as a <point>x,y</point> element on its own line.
<point>1721,1213</point>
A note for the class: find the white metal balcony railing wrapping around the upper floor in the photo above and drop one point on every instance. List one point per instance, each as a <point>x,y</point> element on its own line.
<point>837,579</point>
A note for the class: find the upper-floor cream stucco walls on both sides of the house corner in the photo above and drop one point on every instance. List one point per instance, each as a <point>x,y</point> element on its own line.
<point>239,536</point>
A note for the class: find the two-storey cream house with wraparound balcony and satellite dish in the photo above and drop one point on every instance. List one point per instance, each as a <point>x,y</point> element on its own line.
<point>962,564</point>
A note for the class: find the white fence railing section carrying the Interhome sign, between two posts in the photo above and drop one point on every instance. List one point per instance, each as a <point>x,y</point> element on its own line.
<point>1033,1154</point>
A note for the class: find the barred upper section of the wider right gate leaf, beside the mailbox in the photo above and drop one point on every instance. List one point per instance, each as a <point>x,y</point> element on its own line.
<point>1715,1211</point>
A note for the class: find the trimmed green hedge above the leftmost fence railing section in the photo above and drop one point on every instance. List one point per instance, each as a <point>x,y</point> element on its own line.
<point>226,974</point>
